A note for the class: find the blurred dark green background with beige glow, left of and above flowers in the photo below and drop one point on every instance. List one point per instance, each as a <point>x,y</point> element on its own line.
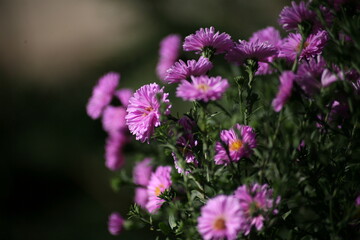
<point>54,181</point>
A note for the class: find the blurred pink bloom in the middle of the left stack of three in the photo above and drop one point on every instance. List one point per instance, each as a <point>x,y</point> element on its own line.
<point>114,119</point>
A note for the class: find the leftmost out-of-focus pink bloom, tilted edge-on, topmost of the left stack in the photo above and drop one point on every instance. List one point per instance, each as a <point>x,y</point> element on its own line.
<point>102,94</point>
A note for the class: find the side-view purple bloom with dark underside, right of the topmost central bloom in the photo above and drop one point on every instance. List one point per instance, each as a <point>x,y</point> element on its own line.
<point>259,51</point>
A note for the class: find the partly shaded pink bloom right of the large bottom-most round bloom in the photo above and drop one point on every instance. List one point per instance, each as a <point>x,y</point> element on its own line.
<point>256,203</point>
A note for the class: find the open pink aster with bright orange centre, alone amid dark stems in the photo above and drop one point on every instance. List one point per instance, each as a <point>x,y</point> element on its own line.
<point>239,141</point>
